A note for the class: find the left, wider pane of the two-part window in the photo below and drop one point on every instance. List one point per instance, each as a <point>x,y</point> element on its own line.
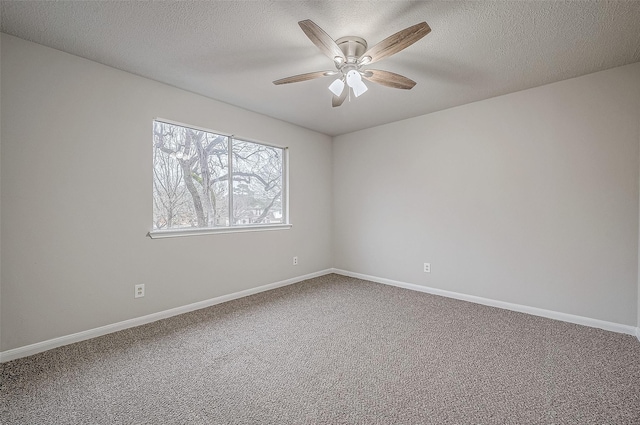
<point>190,178</point>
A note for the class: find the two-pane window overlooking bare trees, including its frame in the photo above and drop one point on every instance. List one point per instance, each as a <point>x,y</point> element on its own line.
<point>205,182</point>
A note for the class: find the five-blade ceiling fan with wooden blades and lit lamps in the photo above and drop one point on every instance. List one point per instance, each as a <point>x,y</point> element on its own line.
<point>350,55</point>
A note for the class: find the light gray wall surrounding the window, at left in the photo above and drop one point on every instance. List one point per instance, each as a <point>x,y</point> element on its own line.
<point>76,199</point>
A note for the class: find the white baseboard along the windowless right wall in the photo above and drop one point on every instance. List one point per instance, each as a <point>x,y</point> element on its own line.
<point>579,320</point>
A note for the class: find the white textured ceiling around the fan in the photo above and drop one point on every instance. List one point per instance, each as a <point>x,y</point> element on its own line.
<point>233,50</point>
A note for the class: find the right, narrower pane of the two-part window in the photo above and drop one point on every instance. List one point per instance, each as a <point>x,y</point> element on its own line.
<point>257,183</point>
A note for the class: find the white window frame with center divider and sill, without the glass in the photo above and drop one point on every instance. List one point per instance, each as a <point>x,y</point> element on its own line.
<point>201,231</point>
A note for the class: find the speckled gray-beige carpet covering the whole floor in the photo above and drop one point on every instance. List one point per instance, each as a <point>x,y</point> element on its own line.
<point>333,350</point>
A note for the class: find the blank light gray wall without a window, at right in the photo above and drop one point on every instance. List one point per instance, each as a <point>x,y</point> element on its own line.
<point>529,198</point>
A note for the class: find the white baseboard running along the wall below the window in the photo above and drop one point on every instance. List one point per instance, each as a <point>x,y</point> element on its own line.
<point>39,347</point>
